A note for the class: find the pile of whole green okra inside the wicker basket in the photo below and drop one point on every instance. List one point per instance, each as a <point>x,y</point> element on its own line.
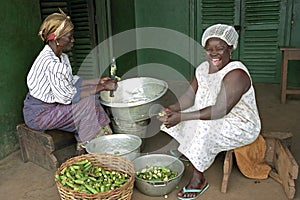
<point>83,176</point>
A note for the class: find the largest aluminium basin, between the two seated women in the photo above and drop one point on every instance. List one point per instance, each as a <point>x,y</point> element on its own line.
<point>134,97</point>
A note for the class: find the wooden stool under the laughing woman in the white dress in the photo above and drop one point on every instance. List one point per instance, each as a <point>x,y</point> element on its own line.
<point>278,156</point>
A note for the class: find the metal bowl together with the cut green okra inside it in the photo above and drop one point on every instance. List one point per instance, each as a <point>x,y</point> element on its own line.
<point>157,174</point>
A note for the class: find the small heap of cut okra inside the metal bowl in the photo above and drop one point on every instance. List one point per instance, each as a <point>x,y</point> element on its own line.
<point>156,173</point>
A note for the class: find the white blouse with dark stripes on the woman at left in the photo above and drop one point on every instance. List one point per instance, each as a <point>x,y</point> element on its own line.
<point>50,79</point>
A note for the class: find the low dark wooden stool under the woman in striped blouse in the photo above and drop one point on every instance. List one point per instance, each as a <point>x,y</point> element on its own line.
<point>48,149</point>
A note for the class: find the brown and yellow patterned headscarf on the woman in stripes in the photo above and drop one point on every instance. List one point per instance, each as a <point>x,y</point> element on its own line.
<point>55,26</point>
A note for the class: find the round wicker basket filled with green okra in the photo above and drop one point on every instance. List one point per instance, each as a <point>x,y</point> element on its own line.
<point>95,176</point>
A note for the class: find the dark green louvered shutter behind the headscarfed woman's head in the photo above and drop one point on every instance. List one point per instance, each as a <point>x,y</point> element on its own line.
<point>84,61</point>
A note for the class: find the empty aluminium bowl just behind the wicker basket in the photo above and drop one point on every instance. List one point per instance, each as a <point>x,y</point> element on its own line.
<point>124,145</point>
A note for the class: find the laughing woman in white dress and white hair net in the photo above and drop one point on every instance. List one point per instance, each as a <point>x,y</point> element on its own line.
<point>217,113</point>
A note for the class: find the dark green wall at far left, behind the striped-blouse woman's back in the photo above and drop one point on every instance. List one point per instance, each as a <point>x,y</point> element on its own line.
<point>19,44</point>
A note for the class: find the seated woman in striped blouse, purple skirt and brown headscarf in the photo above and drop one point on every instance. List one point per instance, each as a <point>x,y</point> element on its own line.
<point>57,99</point>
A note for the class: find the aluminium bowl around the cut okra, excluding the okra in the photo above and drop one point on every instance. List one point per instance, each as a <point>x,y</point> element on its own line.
<point>158,188</point>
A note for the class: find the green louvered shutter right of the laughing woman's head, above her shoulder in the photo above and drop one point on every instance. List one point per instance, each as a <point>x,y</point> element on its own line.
<point>260,39</point>
